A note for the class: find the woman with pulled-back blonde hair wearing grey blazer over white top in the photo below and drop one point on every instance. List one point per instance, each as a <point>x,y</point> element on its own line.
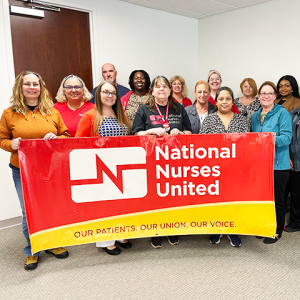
<point>201,107</point>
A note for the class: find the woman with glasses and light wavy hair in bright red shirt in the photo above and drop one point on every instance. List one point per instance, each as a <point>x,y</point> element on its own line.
<point>72,101</point>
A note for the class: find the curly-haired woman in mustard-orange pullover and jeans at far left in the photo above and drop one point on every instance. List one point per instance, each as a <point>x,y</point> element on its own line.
<point>30,116</point>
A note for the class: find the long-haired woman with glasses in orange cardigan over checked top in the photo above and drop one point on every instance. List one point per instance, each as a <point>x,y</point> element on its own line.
<point>107,118</point>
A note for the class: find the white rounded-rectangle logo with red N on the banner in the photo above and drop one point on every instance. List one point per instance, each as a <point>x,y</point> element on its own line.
<point>108,174</point>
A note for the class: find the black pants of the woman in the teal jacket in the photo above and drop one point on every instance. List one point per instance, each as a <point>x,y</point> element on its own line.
<point>280,180</point>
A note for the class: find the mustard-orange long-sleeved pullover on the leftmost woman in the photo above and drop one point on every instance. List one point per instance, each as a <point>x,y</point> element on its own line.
<point>33,125</point>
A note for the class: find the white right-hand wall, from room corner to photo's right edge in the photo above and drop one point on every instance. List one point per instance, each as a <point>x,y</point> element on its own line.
<point>261,42</point>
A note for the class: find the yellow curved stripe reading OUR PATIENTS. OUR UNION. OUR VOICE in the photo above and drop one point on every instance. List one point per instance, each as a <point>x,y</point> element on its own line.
<point>245,218</point>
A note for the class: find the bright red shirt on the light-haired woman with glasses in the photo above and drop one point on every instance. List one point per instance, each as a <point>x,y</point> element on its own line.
<point>72,117</point>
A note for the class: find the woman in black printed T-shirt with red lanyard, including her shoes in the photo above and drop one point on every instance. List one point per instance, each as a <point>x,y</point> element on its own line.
<point>161,116</point>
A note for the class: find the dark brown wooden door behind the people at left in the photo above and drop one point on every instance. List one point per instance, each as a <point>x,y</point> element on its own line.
<point>55,46</point>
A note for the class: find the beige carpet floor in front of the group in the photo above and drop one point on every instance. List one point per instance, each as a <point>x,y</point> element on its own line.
<point>194,269</point>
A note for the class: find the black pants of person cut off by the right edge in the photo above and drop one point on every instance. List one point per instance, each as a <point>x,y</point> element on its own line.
<point>295,198</point>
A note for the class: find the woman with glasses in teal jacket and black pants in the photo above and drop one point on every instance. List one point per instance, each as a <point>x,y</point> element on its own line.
<point>275,118</point>
